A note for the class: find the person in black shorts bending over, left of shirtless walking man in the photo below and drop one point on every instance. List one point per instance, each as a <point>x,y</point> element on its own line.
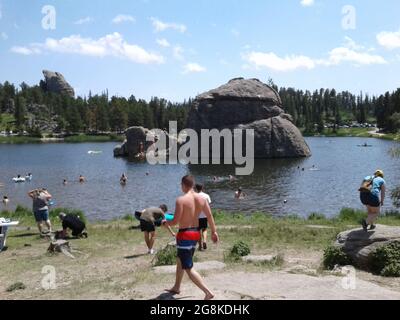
<point>149,218</point>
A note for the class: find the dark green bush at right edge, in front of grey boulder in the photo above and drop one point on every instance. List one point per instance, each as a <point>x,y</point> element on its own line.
<point>385,260</point>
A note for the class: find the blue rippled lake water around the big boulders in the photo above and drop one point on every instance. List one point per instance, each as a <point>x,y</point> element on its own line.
<point>341,166</point>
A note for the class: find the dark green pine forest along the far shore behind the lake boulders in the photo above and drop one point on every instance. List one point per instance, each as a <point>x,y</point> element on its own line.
<point>33,108</point>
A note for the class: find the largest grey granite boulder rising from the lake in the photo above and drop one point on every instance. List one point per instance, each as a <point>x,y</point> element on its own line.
<point>250,104</point>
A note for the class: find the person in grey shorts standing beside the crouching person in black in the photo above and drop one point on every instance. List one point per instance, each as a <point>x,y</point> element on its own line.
<point>40,199</point>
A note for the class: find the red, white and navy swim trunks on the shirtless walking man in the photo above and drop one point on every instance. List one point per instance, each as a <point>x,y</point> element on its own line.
<point>186,241</point>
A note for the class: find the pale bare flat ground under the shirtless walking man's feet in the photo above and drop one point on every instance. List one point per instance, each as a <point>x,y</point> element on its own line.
<point>275,286</point>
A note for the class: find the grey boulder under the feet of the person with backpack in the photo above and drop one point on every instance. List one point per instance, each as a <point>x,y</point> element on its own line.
<point>359,245</point>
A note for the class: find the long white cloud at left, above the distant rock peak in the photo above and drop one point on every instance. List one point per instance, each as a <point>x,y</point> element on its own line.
<point>112,45</point>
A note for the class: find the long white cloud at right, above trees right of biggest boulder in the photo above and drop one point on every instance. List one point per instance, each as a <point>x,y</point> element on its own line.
<point>350,52</point>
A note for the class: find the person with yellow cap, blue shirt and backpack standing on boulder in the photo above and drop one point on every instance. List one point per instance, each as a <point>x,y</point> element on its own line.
<point>370,198</point>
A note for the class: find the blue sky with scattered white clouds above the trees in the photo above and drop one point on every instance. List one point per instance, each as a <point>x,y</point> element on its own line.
<point>178,48</point>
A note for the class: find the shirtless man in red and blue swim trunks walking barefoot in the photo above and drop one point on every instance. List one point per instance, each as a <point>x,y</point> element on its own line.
<point>187,211</point>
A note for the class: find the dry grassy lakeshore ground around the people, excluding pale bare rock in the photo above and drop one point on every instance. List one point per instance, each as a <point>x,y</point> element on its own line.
<point>112,263</point>
